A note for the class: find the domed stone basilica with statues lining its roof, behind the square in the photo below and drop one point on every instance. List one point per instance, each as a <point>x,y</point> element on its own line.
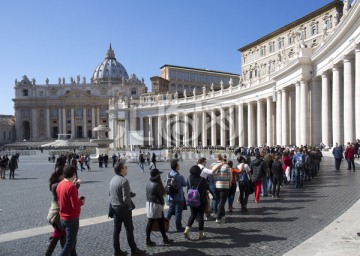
<point>74,108</point>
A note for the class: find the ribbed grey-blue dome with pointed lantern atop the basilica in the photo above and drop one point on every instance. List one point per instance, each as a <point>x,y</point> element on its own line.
<point>109,69</point>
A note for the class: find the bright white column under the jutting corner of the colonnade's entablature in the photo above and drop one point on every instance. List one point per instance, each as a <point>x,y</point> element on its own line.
<point>304,112</point>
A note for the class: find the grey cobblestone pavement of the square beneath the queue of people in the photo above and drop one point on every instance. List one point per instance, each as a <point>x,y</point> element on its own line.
<point>271,227</point>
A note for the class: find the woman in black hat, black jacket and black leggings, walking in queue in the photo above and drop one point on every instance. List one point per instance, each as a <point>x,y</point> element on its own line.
<point>155,193</point>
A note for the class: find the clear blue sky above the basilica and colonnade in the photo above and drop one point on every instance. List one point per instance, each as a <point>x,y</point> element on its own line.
<point>51,39</point>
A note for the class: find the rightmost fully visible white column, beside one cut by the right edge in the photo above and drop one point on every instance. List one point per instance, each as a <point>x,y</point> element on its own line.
<point>349,117</point>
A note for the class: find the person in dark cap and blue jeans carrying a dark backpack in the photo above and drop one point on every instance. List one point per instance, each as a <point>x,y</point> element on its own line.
<point>176,201</point>
